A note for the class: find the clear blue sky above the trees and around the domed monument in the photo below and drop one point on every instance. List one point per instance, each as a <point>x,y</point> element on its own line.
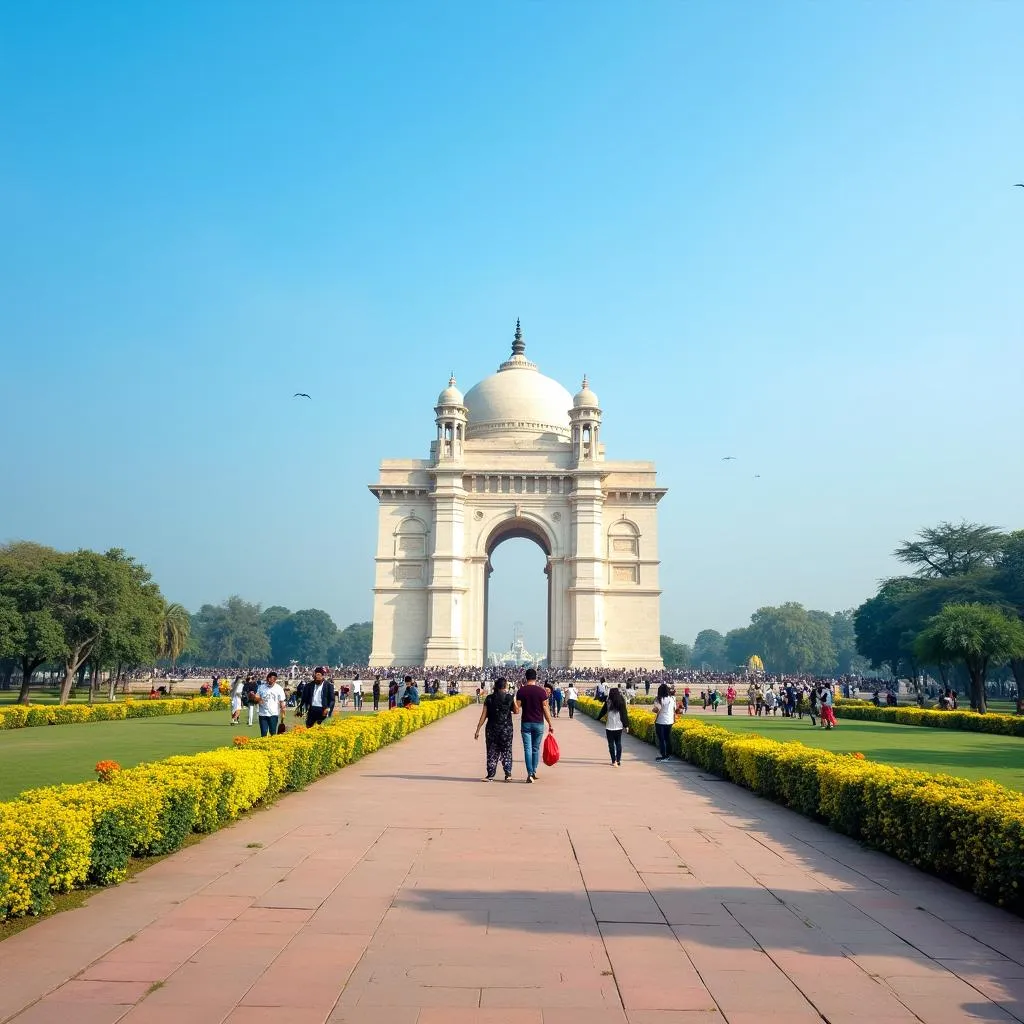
<point>784,232</point>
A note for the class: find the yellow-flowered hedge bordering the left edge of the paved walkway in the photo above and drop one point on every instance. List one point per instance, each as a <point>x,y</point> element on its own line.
<point>64,837</point>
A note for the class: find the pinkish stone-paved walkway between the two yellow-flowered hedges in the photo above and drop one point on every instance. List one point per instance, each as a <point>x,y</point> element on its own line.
<point>405,891</point>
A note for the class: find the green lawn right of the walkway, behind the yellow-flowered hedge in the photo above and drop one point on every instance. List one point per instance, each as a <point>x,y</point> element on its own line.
<point>971,755</point>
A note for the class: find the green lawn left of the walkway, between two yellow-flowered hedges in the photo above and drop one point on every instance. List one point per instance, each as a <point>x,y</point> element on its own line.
<point>48,755</point>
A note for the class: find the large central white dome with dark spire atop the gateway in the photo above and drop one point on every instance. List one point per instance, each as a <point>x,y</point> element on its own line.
<point>518,400</point>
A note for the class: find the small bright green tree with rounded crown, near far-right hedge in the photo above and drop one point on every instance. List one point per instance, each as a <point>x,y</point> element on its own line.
<point>978,635</point>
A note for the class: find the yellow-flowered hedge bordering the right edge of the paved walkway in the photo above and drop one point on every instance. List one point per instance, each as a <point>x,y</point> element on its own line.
<point>969,833</point>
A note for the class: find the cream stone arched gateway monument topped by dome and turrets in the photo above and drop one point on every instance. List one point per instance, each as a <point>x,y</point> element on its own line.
<point>518,457</point>
